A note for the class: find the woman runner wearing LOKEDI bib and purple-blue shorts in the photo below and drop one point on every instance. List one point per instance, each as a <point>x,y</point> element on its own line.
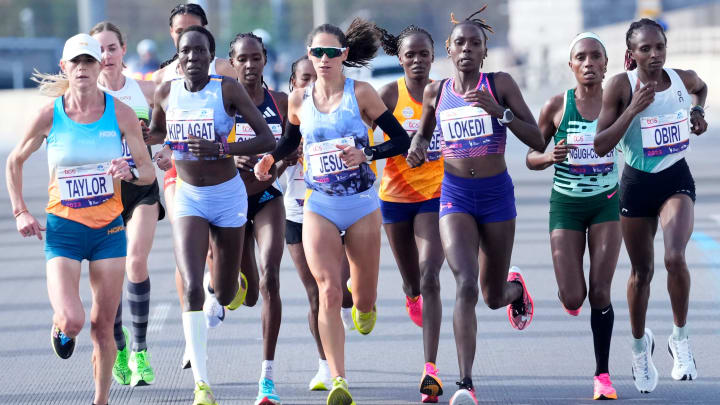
<point>473,110</point>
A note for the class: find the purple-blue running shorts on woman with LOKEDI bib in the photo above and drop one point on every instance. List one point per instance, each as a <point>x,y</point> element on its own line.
<point>488,199</point>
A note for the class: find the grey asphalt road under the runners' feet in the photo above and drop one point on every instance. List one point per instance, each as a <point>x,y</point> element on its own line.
<point>550,363</point>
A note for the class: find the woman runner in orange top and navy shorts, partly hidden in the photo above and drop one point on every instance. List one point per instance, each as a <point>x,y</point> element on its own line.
<point>410,199</point>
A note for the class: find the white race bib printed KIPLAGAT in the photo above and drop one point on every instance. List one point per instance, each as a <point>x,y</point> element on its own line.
<point>181,124</point>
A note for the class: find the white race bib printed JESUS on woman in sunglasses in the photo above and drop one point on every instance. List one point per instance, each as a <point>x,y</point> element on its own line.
<point>325,163</point>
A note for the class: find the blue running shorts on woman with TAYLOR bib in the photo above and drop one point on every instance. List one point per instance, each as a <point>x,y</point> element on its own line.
<point>67,238</point>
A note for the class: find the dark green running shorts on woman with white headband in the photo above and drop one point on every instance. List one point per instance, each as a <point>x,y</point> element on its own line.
<point>578,213</point>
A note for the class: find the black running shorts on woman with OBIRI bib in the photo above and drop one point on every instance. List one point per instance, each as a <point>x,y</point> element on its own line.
<point>642,194</point>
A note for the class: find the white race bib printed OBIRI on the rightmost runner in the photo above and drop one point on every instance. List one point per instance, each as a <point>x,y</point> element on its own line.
<point>665,134</point>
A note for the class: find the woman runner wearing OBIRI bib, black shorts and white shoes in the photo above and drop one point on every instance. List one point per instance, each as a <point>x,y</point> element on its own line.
<point>649,113</point>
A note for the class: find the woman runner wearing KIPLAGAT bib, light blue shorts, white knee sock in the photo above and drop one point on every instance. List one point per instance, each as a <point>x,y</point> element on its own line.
<point>196,114</point>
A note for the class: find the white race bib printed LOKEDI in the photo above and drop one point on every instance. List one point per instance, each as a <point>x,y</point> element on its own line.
<point>466,127</point>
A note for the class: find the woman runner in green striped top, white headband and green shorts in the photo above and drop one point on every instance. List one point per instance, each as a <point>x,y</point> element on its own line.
<point>583,199</point>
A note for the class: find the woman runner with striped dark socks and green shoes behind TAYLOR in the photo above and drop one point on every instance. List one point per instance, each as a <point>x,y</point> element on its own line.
<point>141,212</point>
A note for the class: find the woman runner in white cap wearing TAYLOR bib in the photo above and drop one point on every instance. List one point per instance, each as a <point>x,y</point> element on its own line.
<point>83,128</point>
